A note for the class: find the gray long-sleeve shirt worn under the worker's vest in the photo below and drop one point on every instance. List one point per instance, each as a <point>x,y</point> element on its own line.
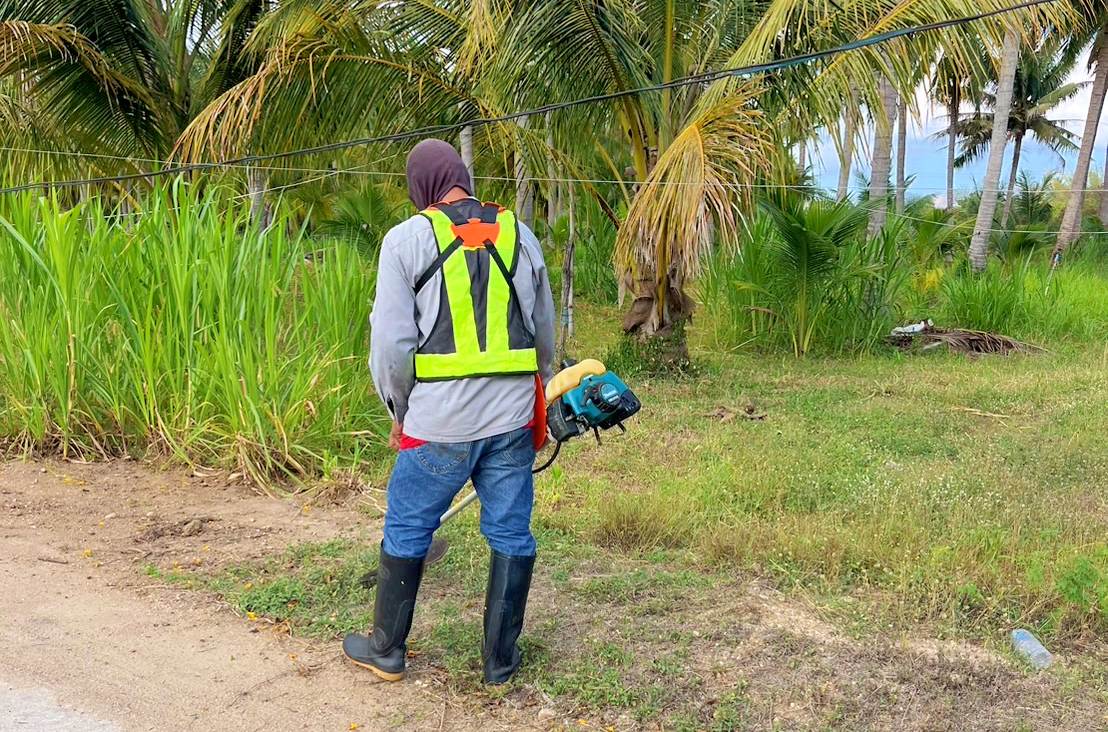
<point>450,411</point>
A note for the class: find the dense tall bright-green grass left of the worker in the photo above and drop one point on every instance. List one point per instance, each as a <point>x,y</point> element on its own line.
<point>184,333</point>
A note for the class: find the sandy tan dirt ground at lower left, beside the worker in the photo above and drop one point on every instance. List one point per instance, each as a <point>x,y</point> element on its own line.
<point>88,643</point>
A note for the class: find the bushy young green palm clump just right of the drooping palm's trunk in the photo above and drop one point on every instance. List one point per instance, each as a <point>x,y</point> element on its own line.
<point>804,276</point>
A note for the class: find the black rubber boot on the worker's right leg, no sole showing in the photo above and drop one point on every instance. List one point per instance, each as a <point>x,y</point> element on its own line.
<point>506,603</point>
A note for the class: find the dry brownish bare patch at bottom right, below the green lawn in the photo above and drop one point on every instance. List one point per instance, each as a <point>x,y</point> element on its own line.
<point>744,656</point>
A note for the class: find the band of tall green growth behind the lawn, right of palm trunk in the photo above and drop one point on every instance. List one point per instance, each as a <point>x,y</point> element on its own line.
<point>804,277</point>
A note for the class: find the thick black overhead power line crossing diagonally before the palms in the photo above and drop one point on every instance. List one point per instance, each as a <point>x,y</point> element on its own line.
<point>557,107</point>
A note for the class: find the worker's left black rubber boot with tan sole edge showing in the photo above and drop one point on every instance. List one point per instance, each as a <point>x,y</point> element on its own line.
<point>384,652</point>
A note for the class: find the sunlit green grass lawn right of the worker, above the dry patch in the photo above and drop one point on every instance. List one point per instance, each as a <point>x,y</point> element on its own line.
<point>972,492</point>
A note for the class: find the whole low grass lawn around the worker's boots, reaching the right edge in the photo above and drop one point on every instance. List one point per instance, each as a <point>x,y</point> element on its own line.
<point>932,497</point>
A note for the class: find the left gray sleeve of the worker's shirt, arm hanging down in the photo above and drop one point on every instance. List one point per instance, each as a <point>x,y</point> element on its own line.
<point>394,332</point>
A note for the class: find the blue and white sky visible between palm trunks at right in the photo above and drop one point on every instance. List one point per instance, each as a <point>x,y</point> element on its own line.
<point>926,158</point>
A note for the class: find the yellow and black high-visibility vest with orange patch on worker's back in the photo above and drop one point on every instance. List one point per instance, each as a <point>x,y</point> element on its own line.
<point>480,331</point>
